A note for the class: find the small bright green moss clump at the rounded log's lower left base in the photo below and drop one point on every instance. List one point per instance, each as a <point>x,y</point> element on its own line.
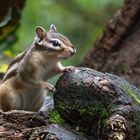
<point>55,117</point>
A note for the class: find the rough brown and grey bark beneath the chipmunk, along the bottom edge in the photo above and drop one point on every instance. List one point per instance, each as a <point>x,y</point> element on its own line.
<point>24,125</point>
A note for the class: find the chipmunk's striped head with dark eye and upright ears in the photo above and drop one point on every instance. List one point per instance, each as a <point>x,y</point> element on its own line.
<point>53,44</point>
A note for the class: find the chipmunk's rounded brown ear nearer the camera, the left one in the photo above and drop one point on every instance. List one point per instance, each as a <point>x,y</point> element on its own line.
<point>40,32</point>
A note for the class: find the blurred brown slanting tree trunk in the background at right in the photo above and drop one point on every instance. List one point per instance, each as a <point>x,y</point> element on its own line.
<point>118,49</point>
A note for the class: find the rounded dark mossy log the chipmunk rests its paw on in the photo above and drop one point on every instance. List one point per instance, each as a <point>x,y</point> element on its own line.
<point>99,103</point>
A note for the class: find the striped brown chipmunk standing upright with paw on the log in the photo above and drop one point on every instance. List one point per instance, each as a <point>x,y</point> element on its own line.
<point>22,87</point>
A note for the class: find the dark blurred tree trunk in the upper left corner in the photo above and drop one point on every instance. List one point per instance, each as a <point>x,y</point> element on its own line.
<point>10,13</point>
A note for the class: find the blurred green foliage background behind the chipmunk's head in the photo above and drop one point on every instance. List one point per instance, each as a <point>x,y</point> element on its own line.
<point>82,21</point>
